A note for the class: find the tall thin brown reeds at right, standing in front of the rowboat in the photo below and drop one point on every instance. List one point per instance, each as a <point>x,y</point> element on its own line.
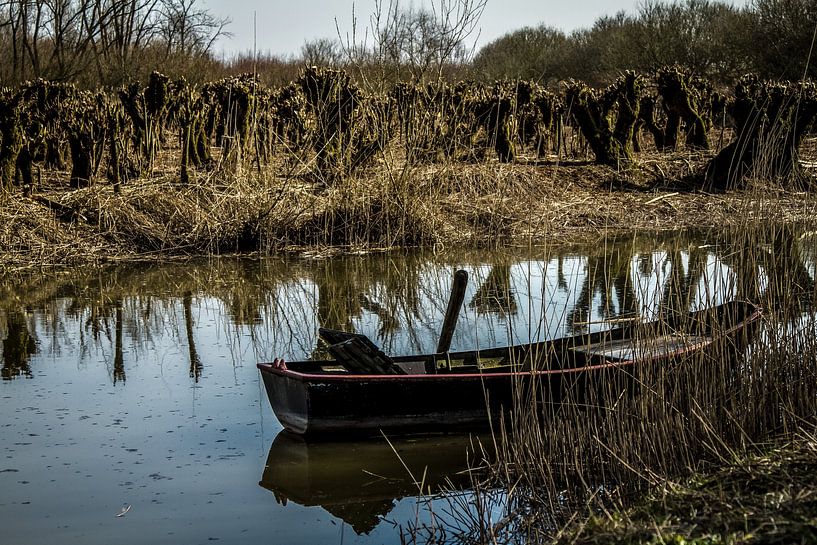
<point>598,451</point>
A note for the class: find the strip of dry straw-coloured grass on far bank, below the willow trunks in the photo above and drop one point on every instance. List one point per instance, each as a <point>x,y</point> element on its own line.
<point>488,204</point>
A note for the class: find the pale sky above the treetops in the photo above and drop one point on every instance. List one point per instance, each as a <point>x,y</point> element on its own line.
<point>282,26</point>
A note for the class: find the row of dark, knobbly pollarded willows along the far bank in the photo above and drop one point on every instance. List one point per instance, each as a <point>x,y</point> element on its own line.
<point>326,125</point>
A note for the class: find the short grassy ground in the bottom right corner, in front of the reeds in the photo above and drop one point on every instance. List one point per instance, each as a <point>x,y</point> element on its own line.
<point>767,497</point>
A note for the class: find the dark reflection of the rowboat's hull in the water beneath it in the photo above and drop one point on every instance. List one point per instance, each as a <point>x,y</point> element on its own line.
<point>361,482</point>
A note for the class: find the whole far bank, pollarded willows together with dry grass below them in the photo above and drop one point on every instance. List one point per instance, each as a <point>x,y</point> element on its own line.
<point>236,166</point>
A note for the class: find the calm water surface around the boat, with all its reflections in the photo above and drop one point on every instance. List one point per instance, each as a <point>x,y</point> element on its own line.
<point>135,386</point>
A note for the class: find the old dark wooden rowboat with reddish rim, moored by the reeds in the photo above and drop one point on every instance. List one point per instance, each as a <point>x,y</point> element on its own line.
<point>363,391</point>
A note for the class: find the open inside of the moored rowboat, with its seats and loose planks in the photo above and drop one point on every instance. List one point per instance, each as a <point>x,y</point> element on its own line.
<point>356,354</point>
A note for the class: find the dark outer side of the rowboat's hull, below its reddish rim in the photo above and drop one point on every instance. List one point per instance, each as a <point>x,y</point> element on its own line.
<point>364,405</point>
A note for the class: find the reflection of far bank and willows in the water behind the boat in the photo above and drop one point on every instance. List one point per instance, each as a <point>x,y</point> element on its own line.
<point>397,299</point>
